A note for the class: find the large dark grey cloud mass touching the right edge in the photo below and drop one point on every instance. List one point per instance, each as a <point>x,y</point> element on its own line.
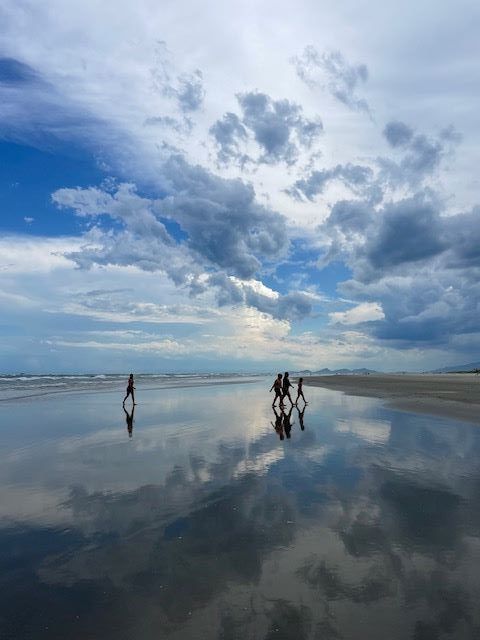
<point>419,265</point>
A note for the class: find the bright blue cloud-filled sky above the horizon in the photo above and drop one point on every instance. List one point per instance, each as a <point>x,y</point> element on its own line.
<point>250,186</point>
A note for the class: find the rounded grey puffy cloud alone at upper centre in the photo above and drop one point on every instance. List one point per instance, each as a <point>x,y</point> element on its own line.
<point>277,126</point>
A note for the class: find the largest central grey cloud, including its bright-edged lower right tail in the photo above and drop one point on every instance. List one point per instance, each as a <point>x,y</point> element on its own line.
<point>227,238</point>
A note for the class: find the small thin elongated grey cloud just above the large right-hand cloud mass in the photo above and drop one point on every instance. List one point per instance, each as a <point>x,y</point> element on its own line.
<point>356,177</point>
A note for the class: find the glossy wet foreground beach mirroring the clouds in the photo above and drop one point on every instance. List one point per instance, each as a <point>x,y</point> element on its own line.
<point>205,515</point>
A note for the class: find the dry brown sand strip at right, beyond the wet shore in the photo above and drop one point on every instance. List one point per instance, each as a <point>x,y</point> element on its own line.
<point>448,395</point>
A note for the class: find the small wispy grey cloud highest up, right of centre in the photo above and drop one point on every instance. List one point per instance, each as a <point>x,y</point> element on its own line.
<point>332,71</point>
